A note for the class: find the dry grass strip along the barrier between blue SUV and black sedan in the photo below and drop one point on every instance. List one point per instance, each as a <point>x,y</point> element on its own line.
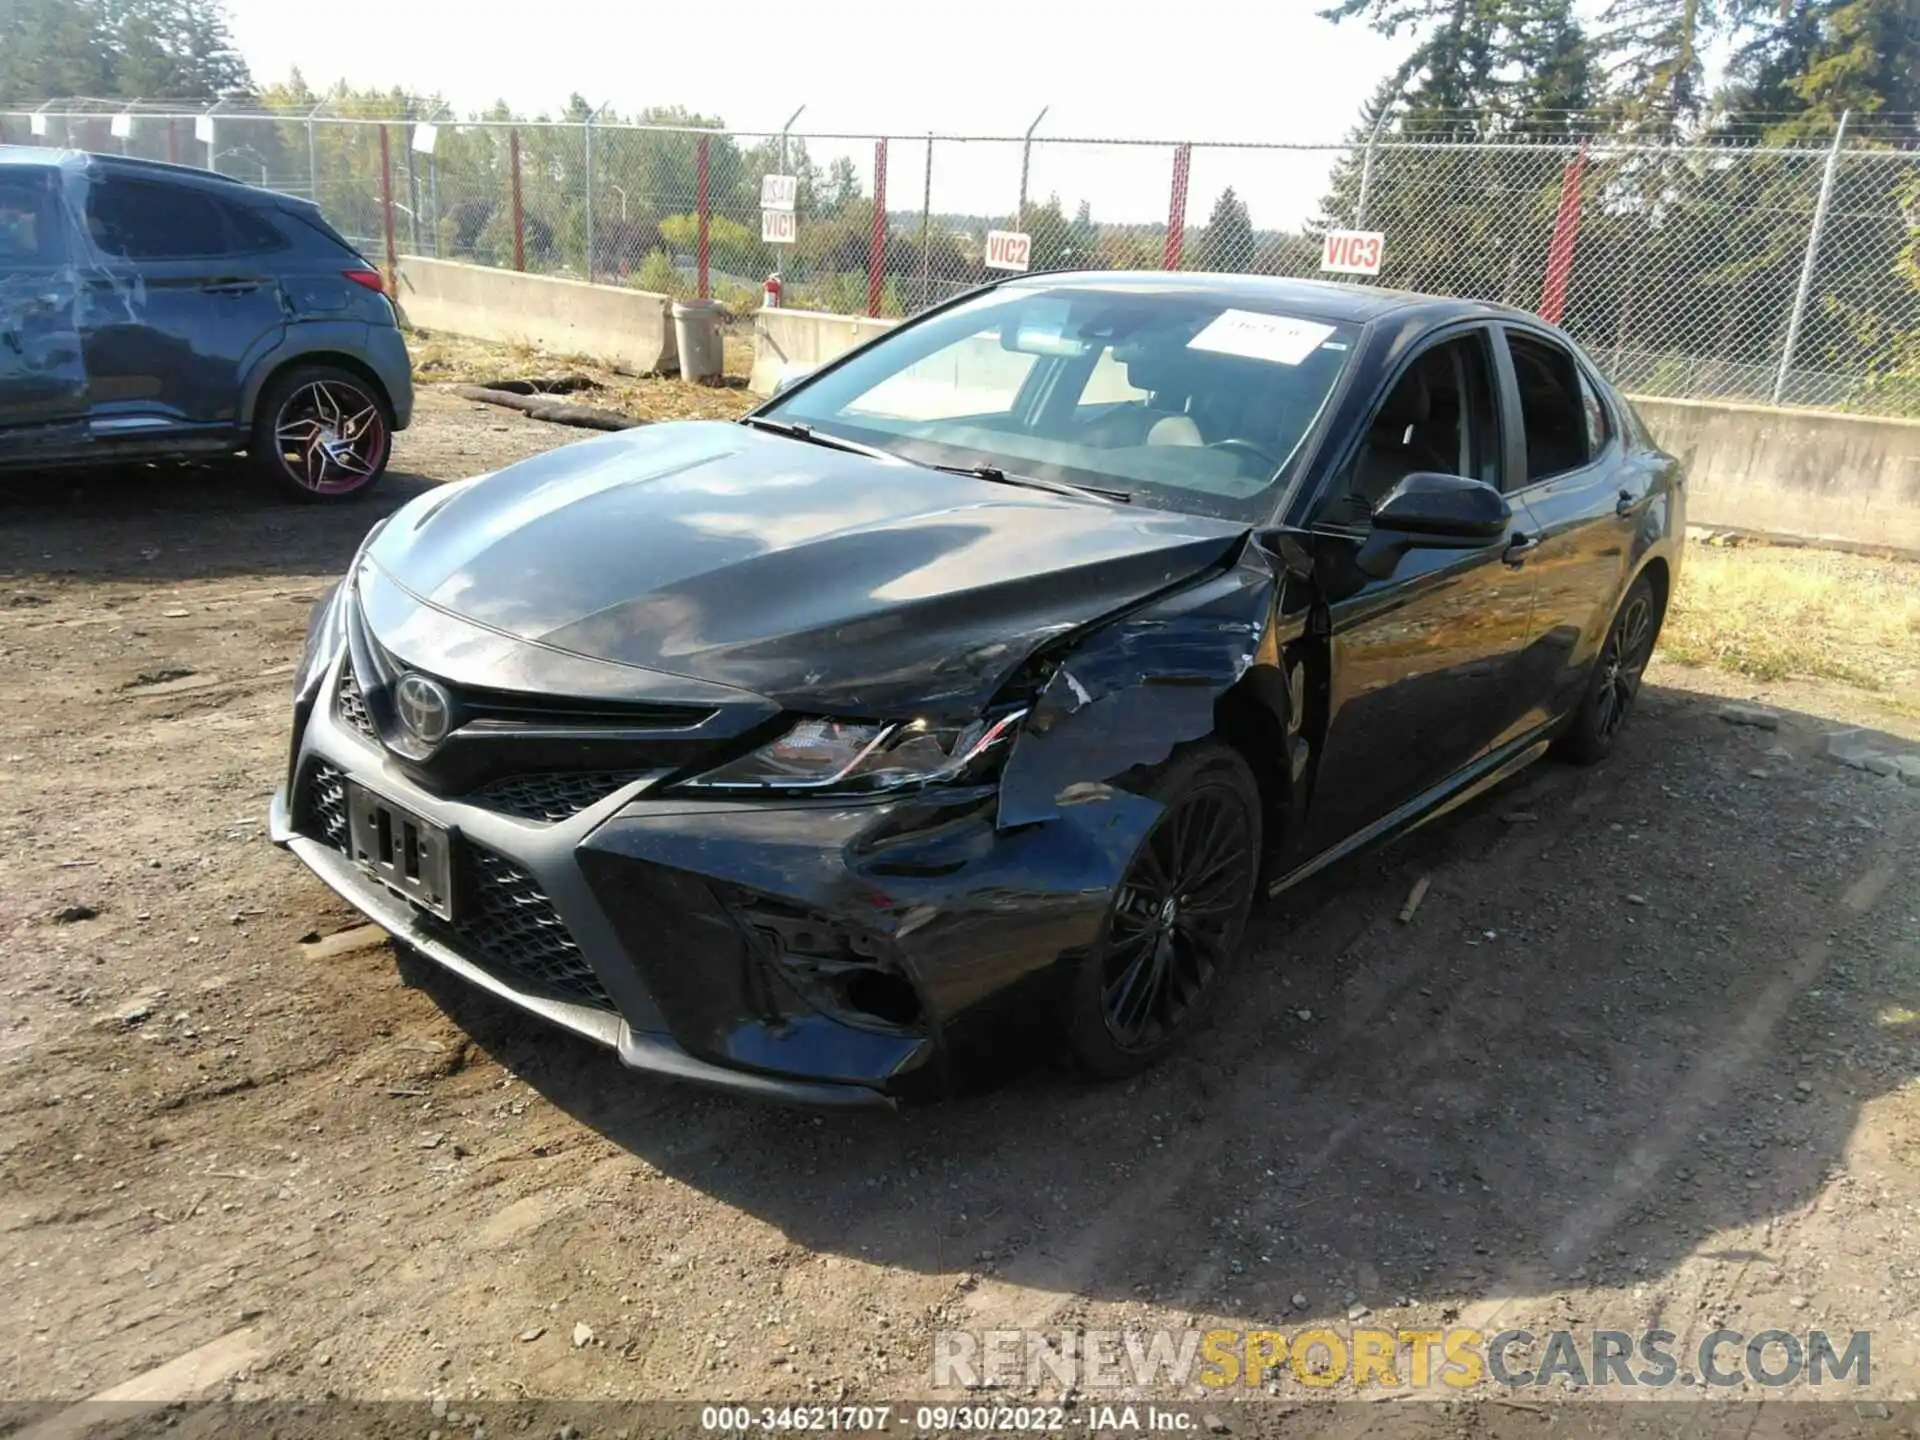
<point>456,360</point>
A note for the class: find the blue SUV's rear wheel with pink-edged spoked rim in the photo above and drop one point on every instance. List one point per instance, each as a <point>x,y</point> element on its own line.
<point>322,435</point>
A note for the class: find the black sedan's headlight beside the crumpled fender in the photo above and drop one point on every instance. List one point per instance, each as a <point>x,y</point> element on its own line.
<point>842,757</point>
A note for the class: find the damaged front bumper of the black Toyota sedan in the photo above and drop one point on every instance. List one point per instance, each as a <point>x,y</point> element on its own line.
<point>821,953</point>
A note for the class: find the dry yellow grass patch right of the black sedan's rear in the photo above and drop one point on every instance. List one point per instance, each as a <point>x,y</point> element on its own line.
<point>1779,613</point>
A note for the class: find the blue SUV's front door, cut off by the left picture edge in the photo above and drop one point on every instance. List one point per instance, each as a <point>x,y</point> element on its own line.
<point>43,379</point>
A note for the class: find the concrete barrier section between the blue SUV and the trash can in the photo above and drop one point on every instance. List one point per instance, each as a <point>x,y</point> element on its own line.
<point>627,329</point>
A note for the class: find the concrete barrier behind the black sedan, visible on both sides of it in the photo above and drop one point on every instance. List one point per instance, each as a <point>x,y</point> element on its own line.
<point>1752,468</point>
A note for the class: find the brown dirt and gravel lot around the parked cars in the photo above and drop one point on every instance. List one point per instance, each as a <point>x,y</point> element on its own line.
<point>1644,1057</point>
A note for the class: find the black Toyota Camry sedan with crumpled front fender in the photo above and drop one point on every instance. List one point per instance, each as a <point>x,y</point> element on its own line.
<point>957,706</point>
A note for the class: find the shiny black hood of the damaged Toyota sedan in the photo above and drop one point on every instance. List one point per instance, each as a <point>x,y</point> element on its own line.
<point>811,577</point>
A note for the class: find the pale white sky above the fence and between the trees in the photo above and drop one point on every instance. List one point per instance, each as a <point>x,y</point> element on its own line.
<point>1193,70</point>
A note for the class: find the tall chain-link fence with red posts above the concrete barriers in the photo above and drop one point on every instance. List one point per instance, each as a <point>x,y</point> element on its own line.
<point>1723,272</point>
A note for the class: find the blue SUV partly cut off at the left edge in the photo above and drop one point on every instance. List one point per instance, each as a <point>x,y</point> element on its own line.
<point>155,312</point>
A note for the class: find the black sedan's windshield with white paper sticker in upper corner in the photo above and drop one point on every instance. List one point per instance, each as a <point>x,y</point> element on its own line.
<point>1182,400</point>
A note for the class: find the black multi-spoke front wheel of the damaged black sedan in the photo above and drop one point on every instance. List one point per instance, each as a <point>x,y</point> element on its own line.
<point>1203,852</point>
